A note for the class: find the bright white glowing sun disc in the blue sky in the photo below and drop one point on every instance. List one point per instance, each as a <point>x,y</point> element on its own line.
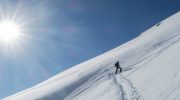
<point>9,31</point>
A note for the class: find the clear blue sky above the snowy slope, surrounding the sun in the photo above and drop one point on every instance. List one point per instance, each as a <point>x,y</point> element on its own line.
<point>63,33</point>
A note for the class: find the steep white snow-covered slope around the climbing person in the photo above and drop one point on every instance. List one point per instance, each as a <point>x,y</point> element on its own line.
<point>151,71</point>
